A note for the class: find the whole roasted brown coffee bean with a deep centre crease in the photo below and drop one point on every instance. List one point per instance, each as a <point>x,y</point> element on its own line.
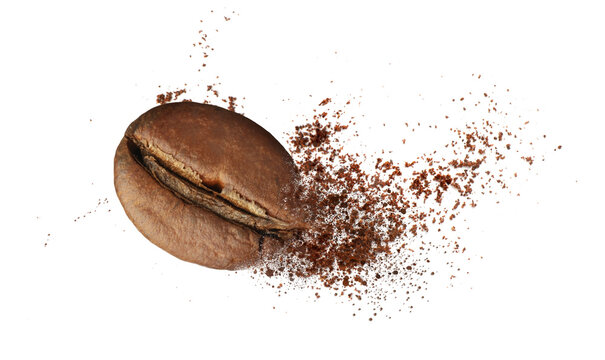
<point>207,185</point>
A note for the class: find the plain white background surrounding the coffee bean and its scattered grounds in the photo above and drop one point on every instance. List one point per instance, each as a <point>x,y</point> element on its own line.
<point>74,75</point>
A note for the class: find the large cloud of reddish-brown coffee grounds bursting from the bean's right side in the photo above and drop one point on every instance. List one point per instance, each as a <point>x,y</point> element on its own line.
<point>382,227</point>
